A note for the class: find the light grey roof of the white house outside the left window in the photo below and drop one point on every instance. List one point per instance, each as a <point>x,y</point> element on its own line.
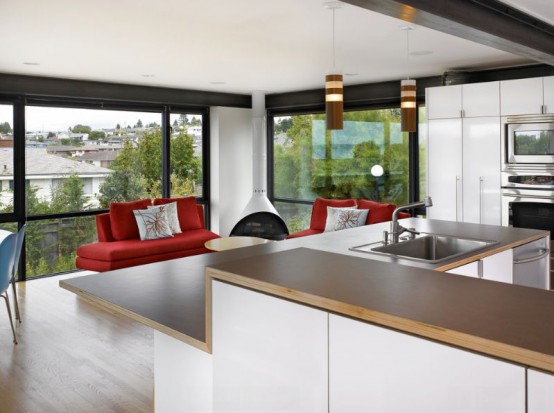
<point>40,162</point>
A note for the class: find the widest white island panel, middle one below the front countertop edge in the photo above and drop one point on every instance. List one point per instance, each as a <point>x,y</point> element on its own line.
<point>373,369</point>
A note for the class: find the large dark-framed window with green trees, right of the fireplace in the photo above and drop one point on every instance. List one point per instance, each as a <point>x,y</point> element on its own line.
<point>369,159</point>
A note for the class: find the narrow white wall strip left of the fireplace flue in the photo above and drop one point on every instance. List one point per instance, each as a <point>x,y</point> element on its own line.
<point>231,166</point>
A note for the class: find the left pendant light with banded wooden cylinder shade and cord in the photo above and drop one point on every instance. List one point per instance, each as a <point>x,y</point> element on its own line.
<point>333,84</point>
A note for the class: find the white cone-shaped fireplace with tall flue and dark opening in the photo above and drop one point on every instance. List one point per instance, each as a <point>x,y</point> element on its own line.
<point>260,218</point>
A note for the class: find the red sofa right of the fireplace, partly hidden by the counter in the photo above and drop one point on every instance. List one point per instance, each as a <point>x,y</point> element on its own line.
<point>378,212</point>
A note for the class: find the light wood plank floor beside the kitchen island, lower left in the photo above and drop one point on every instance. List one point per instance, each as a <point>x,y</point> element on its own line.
<point>72,356</point>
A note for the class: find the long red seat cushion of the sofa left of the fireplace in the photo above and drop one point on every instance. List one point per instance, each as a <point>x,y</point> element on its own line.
<point>135,248</point>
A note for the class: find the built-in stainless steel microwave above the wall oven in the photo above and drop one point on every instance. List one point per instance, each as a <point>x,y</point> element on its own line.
<point>530,142</point>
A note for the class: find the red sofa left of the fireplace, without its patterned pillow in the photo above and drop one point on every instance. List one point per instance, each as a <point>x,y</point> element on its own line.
<point>119,244</point>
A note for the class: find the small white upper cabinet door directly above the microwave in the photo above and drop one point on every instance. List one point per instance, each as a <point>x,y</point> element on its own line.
<point>521,96</point>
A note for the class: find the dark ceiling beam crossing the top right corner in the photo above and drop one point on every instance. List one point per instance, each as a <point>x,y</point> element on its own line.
<point>488,22</point>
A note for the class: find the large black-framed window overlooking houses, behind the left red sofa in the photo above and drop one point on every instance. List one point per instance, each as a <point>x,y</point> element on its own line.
<point>79,160</point>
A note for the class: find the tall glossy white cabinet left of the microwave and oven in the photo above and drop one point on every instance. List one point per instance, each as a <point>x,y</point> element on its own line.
<point>464,152</point>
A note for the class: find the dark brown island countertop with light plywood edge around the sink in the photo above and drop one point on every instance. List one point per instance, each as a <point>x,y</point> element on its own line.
<point>170,296</point>
